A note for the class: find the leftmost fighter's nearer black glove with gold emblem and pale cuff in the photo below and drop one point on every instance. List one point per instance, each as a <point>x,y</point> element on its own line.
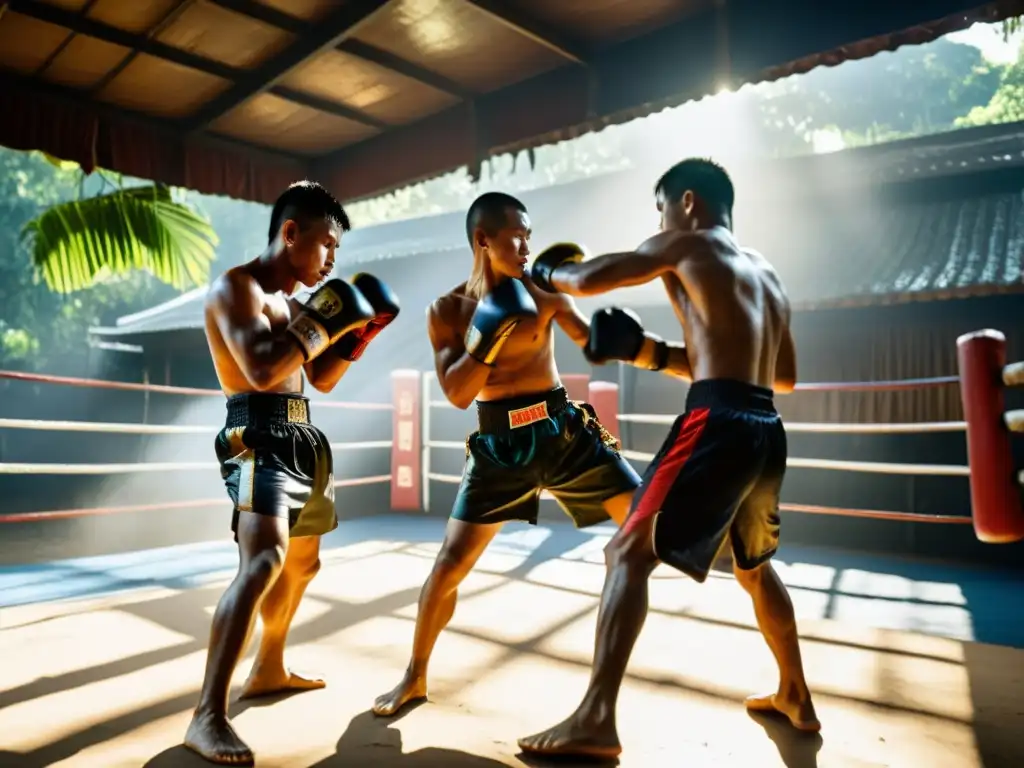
<point>334,310</point>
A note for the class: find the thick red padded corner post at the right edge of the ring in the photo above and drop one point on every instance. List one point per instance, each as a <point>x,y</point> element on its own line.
<point>996,495</point>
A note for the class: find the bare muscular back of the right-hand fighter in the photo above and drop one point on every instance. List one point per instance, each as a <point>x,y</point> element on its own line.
<point>733,307</point>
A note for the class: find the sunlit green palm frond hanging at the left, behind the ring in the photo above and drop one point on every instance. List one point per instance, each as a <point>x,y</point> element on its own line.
<point>74,245</point>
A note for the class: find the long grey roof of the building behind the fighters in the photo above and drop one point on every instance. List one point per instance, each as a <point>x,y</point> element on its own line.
<point>842,229</point>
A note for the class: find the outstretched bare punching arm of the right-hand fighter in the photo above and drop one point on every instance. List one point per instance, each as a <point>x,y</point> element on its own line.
<point>654,259</point>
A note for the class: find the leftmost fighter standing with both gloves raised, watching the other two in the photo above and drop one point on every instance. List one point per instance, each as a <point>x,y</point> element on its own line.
<point>277,466</point>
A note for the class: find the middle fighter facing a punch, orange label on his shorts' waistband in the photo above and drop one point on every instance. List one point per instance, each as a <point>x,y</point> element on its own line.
<point>494,342</point>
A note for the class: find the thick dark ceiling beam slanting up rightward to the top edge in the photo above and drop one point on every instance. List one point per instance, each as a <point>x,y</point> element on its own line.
<point>324,35</point>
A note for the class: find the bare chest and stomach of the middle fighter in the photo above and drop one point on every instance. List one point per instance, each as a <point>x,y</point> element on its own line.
<point>527,362</point>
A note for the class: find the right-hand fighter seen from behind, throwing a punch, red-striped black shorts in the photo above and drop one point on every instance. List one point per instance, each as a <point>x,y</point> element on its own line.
<point>720,471</point>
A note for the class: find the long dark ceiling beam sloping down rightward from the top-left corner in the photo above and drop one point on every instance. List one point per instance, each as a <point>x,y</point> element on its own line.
<point>145,45</point>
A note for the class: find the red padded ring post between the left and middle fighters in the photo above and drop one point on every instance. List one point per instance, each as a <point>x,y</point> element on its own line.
<point>407,441</point>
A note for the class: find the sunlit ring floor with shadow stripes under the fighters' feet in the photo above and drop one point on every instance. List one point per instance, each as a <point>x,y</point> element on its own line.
<point>914,665</point>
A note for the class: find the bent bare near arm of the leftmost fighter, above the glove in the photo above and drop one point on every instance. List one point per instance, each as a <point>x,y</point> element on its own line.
<point>265,358</point>
